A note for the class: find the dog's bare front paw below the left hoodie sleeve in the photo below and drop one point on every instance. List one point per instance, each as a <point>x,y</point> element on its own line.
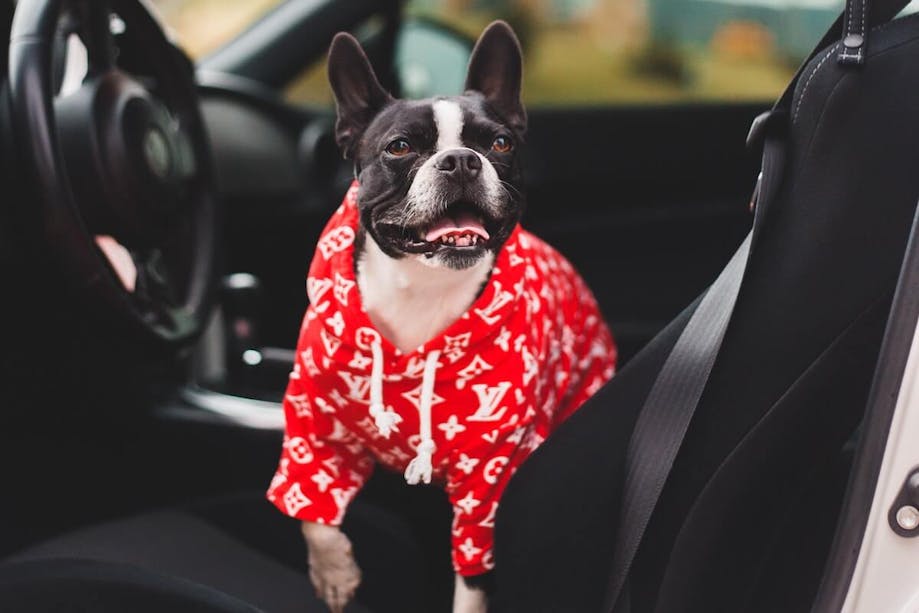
<point>333,571</point>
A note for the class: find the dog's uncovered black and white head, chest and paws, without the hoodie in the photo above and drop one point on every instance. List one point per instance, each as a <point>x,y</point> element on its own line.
<point>439,196</point>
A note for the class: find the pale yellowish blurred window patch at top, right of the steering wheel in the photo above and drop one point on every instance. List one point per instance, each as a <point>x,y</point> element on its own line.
<point>202,26</point>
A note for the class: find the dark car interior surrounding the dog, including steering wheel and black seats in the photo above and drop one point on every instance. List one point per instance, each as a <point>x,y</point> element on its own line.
<point>139,430</point>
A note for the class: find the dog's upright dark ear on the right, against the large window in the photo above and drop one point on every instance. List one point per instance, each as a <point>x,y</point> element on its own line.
<point>495,70</point>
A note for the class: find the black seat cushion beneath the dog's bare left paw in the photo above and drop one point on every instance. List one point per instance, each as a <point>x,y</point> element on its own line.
<point>233,554</point>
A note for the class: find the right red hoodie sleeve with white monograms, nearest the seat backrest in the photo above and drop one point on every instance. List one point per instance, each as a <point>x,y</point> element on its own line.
<point>475,484</point>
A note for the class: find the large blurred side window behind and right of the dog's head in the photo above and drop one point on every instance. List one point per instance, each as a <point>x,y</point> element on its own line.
<point>649,51</point>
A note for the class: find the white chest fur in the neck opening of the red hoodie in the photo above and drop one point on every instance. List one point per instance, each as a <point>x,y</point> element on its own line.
<point>410,301</point>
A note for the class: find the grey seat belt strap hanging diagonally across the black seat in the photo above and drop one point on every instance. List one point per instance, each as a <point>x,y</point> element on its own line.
<point>668,410</point>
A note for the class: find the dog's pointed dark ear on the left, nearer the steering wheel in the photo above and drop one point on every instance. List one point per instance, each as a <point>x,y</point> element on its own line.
<point>358,94</point>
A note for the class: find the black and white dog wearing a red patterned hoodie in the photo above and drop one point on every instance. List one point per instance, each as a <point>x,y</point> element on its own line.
<point>441,339</point>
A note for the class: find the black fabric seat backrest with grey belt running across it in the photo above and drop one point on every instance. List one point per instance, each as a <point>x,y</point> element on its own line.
<point>786,393</point>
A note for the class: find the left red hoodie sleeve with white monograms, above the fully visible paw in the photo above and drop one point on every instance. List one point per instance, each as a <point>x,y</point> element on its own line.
<point>322,465</point>
